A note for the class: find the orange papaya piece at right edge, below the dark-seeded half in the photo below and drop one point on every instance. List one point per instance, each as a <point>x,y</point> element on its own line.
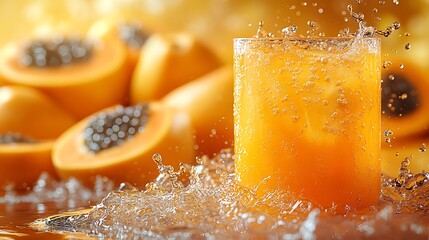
<point>396,151</point>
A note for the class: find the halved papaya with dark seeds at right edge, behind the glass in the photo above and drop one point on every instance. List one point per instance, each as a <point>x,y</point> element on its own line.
<point>404,99</point>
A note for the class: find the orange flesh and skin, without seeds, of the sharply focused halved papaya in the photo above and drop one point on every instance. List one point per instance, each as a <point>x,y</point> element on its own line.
<point>167,132</point>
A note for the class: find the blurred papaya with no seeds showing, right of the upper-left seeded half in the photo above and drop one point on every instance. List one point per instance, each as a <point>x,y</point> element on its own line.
<point>168,61</point>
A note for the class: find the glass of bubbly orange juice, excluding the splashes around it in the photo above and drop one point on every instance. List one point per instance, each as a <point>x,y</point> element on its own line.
<point>307,118</point>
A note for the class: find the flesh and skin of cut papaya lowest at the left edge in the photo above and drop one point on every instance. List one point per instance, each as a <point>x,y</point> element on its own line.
<point>21,164</point>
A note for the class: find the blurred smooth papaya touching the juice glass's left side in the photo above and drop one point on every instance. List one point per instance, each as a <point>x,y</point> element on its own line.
<point>209,102</point>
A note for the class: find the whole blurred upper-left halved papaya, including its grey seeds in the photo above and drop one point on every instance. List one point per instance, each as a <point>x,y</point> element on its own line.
<point>82,75</point>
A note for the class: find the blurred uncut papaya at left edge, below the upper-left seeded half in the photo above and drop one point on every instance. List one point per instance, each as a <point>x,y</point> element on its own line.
<point>31,113</point>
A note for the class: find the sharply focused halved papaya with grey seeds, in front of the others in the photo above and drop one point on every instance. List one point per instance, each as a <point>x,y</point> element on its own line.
<point>96,146</point>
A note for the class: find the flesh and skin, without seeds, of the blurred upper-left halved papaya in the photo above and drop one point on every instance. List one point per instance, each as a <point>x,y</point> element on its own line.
<point>81,88</point>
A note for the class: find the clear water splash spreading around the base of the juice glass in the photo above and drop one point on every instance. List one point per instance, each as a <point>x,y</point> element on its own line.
<point>208,203</point>
